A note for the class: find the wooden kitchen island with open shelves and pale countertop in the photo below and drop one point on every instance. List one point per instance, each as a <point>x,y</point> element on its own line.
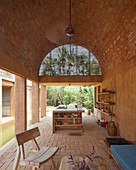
<point>67,121</point>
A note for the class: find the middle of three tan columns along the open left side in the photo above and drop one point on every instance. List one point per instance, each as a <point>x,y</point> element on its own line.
<point>35,102</point>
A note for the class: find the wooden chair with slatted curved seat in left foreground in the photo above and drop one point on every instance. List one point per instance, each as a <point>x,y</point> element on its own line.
<point>40,156</point>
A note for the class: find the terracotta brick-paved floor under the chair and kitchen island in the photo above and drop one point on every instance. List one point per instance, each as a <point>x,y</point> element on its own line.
<point>75,145</point>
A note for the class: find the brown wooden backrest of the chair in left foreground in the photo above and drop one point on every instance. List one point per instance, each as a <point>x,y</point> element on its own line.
<point>27,135</point>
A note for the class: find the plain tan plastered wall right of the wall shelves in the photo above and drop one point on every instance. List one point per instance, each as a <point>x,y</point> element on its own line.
<point>122,80</point>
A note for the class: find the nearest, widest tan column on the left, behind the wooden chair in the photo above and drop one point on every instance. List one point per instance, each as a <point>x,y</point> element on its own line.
<point>20,104</point>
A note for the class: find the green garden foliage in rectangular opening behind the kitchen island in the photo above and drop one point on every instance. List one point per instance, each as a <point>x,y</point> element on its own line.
<point>68,94</point>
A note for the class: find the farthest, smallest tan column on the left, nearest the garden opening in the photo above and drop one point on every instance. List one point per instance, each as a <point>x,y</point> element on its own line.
<point>43,101</point>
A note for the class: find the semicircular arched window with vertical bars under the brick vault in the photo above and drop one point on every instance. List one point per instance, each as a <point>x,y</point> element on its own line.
<point>60,61</point>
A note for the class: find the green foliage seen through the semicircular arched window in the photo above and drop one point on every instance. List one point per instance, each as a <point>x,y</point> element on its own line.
<point>66,64</point>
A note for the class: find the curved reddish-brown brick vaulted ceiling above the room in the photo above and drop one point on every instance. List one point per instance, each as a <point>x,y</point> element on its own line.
<point>29,29</point>
